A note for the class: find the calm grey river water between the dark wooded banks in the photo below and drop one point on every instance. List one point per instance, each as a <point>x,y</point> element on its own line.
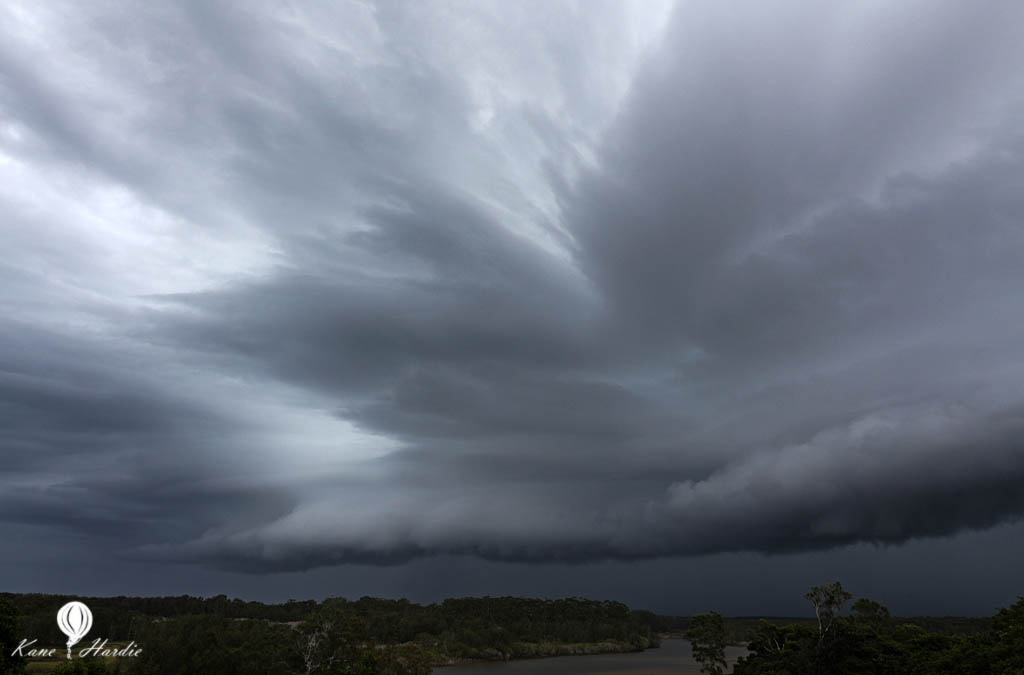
<point>673,657</point>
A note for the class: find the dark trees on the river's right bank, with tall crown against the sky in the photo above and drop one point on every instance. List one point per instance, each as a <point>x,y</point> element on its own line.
<point>869,640</point>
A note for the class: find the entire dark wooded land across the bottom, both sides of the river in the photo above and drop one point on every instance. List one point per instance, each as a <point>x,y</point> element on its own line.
<point>186,635</point>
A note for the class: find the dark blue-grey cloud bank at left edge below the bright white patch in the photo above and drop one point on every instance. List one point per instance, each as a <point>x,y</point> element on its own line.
<point>93,448</point>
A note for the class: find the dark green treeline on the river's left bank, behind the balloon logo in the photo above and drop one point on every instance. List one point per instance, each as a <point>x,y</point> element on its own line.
<point>366,637</point>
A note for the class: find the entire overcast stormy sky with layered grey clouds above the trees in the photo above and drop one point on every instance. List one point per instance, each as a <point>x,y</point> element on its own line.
<point>692,307</point>
